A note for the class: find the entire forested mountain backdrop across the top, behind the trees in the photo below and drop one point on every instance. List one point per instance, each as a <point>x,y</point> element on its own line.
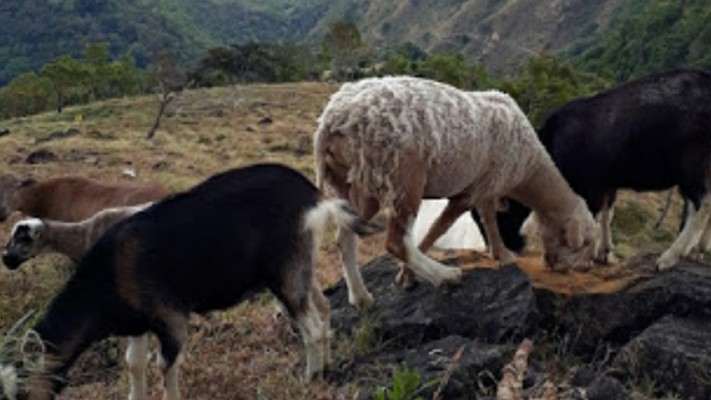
<point>620,38</point>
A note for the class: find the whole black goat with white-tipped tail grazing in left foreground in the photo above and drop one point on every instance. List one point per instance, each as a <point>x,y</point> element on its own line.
<point>205,249</point>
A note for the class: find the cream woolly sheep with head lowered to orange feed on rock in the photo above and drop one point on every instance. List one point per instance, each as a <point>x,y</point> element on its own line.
<point>390,142</point>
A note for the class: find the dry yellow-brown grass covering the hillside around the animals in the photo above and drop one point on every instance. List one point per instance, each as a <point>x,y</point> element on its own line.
<point>244,353</point>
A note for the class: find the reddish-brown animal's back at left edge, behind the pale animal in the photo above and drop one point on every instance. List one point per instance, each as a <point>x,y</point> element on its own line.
<point>70,198</point>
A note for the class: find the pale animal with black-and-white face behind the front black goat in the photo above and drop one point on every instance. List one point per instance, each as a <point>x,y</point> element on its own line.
<point>33,236</point>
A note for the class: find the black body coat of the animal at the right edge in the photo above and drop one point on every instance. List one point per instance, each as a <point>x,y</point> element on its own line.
<point>650,134</point>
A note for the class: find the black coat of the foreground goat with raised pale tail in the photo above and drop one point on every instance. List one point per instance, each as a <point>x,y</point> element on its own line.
<point>201,250</point>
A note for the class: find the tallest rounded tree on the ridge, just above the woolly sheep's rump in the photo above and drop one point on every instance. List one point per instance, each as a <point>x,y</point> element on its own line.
<point>344,48</point>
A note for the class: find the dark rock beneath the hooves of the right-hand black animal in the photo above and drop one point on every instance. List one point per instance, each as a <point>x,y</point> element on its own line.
<point>591,322</point>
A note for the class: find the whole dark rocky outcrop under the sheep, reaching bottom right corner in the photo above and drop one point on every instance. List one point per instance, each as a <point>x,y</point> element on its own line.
<point>461,336</point>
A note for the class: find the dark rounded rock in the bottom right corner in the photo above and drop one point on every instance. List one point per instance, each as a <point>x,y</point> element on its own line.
<point>674,353</point>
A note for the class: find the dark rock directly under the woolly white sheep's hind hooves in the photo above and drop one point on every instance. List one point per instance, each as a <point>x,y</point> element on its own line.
<point>491,306</point>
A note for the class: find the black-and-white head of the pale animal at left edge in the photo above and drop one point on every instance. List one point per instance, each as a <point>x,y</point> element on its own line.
<point>24,243</point>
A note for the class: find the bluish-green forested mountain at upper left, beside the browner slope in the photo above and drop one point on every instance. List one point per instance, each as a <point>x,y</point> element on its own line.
<point>33,32</point>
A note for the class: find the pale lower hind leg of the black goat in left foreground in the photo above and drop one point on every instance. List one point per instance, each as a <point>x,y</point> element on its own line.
<point>313,334</point>
